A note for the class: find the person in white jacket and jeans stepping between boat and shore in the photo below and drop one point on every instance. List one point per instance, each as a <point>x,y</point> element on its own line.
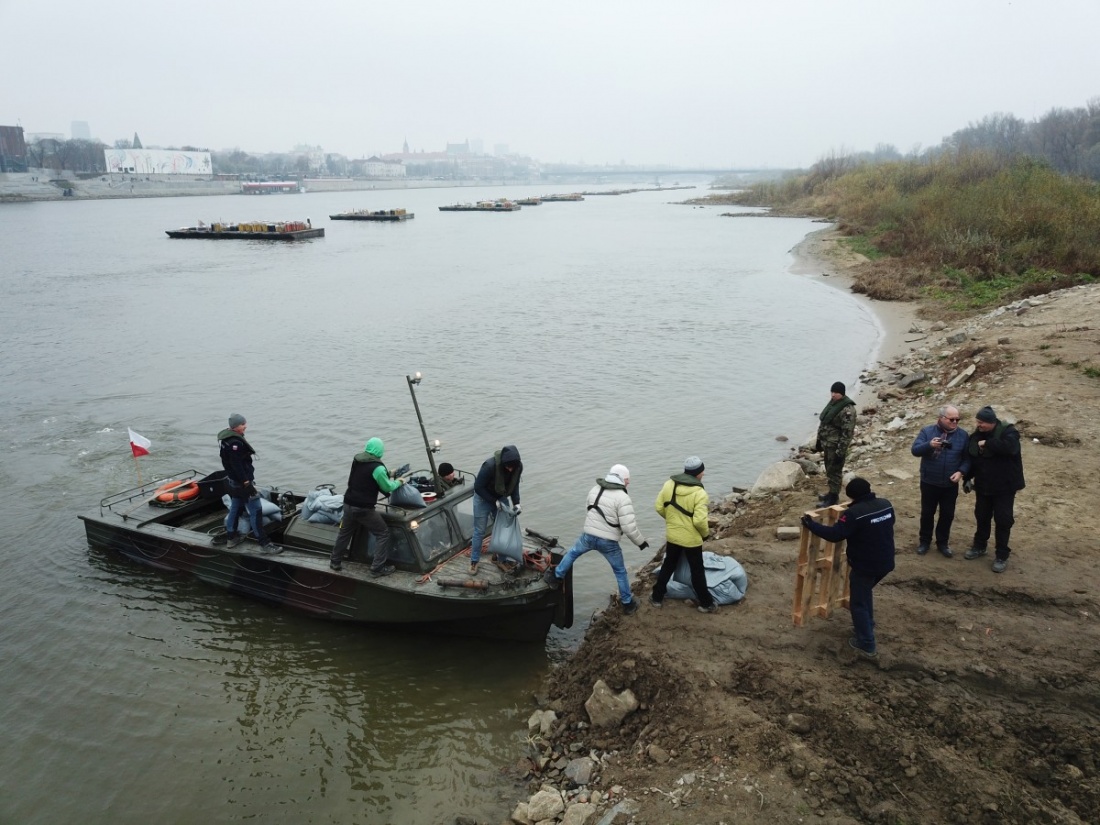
<point>610,518</point>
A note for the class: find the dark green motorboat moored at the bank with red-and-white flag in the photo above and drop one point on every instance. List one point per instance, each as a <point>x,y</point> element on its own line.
<point>433,589</point>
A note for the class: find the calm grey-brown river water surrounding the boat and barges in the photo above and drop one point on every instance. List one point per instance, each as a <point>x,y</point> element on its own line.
<point>617,331</point>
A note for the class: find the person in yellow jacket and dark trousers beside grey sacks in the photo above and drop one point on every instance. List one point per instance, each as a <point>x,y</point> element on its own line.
<point>684,504</point>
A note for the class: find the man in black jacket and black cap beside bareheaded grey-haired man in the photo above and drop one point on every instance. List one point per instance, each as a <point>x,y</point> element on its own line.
<point>997,474</point>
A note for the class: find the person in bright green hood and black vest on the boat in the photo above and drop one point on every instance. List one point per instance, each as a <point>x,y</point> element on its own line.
<point>367,480</point>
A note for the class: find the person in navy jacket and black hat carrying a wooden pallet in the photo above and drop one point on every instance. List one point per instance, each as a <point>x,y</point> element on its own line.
<point>867,527</point>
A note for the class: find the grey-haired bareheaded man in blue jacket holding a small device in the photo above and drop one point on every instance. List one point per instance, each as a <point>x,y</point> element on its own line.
<point>942,448</point>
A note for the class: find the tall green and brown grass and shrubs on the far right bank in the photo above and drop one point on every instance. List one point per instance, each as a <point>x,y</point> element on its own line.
<point>969,230</point>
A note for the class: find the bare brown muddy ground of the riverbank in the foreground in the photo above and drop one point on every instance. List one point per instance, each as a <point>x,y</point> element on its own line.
<point>984,706</point>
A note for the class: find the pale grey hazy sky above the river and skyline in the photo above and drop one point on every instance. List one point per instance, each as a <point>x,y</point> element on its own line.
<point>729,83</point>
